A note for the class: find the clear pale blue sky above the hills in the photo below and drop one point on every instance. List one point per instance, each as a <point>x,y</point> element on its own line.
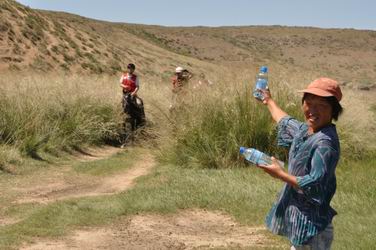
<point>357,14</point>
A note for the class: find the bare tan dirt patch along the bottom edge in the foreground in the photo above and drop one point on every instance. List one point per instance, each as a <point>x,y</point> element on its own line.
<point>189,229</point>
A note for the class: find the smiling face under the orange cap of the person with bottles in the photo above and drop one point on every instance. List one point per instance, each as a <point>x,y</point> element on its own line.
<point>317,112</point>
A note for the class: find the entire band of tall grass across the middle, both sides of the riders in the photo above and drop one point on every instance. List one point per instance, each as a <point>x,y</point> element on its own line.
<point>48,113</point>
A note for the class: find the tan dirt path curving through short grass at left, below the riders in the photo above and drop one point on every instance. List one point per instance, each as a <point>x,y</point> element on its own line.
<point>54,184</point>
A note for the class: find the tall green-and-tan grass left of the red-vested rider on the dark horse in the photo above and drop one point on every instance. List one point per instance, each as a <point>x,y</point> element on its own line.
<point>50,113</point>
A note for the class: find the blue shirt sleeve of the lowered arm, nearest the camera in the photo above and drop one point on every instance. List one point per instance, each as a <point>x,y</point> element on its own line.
<point>323,163</point>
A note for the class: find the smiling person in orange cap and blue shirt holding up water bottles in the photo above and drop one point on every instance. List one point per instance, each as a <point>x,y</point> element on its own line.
<point>302,211</point>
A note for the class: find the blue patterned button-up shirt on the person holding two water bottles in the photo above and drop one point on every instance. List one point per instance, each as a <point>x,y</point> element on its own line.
<point>301,213</point>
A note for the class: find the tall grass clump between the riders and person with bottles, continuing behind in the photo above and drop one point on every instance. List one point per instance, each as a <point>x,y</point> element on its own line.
<point>215,121</point>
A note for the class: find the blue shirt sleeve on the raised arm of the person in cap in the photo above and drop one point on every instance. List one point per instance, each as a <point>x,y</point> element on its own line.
<point>288,128</point>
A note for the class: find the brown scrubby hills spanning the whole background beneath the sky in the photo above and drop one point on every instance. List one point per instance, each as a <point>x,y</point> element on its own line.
<point>48,41</point>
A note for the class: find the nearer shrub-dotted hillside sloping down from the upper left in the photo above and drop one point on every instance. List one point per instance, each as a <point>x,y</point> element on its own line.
<point>33,40</point>
